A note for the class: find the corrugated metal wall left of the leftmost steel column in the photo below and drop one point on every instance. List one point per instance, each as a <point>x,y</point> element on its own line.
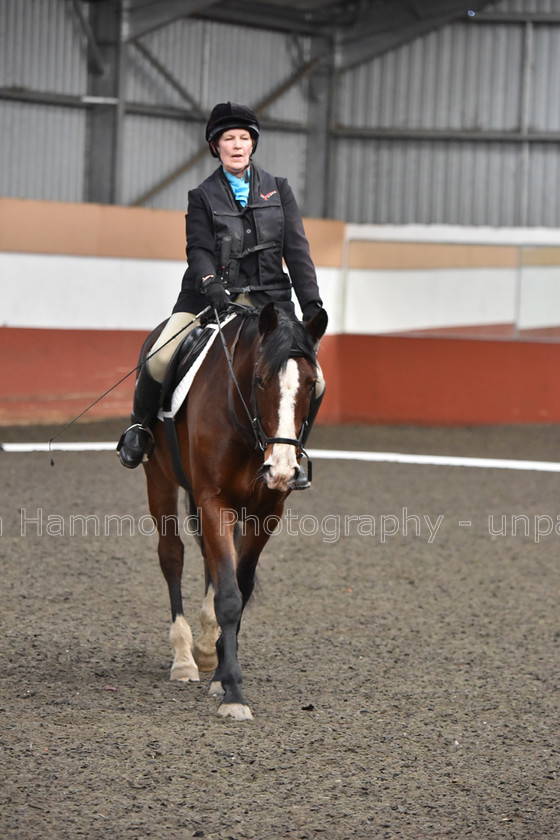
<point>42,147</point>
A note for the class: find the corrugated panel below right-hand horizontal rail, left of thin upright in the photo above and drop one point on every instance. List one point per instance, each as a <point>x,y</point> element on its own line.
<point>403,182</point>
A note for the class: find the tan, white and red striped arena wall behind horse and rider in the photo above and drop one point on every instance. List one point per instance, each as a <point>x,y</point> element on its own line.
<point>427,325</point>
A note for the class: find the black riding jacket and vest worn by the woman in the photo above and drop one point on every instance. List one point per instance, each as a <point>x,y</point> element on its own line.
<point>265,232</point>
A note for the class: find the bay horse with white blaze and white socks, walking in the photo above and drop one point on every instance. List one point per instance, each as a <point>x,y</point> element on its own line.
<point>240,435</point>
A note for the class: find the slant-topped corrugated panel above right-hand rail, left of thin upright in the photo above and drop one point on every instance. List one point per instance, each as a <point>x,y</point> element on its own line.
<point>450,79</point>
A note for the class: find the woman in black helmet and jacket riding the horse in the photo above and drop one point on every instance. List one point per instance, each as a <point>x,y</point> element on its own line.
<point>260,215</point>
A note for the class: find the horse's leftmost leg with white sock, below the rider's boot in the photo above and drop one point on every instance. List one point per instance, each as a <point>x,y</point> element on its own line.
<point>162,497</point>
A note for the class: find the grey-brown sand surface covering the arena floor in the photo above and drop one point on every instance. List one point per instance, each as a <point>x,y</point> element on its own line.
<point>404,685</point>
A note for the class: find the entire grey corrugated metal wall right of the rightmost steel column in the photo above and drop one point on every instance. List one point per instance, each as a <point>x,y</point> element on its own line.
<point>464,81</point>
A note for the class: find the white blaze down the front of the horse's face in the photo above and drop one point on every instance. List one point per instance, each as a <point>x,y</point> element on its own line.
<point>282,460</point>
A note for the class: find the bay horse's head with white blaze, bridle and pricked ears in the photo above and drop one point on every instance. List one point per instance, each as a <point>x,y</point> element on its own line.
<point>285,376</point>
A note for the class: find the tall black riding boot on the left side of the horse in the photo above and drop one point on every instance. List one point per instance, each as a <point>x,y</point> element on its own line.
<point>133,442</point>
